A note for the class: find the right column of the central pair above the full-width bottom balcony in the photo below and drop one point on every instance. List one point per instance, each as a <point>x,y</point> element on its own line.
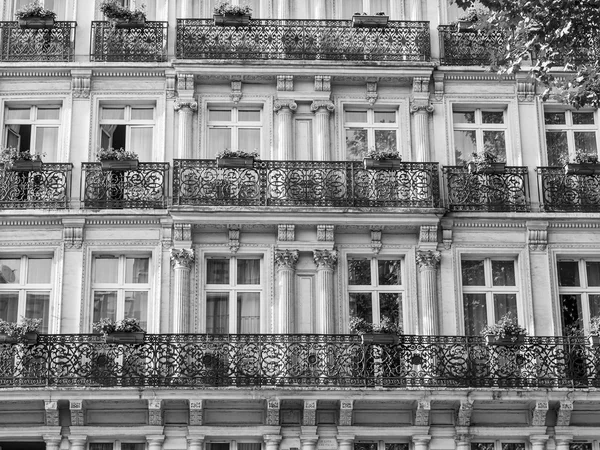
<point>325,261</point>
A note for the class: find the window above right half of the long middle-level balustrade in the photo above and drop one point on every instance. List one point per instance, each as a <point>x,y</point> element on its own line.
<point>367,129</point>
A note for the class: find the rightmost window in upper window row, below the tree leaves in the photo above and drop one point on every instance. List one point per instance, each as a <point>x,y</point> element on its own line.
<point>569,132</point>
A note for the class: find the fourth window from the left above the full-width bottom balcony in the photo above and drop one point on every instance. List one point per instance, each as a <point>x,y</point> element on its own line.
<point>375,289</point>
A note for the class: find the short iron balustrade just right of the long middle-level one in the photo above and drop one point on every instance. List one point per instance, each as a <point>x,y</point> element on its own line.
<point>508,191</point>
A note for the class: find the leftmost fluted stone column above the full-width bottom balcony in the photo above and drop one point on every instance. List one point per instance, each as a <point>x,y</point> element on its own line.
<point>182,261</point>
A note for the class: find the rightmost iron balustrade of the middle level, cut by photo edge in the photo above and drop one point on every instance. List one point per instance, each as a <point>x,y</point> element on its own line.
<point>561,192</point>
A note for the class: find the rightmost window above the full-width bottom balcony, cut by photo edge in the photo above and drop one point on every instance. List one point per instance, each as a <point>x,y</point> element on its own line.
<point>579,293</point>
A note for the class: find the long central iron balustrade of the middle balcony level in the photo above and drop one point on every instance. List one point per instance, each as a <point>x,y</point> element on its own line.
<point>305,183</point>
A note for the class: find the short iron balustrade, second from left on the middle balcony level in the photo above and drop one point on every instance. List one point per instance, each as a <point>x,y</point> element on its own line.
<point>145,187</point>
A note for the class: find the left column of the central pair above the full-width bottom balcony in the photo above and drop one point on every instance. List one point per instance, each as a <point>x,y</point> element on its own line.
<point>286,261</point>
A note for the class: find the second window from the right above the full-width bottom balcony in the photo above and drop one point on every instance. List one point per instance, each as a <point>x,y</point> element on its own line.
<point>489,292</point>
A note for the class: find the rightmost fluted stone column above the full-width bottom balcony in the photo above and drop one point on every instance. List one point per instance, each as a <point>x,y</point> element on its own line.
<point>428,262</point>
